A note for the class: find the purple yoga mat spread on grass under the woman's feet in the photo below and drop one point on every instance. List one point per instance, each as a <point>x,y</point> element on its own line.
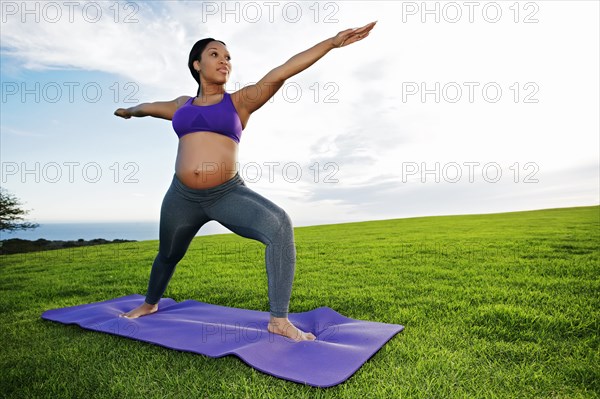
<point>342,345</point>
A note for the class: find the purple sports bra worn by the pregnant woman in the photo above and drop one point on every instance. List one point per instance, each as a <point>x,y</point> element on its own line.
<point>219,118</point>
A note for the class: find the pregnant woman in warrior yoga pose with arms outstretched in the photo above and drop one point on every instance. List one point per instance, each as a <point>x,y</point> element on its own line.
<point>206,184</point>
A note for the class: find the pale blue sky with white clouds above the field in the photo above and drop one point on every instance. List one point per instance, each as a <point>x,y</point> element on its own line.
<point>445,108</point>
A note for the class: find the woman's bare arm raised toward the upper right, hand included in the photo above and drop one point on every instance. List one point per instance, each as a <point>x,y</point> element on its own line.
<point>254,96</point>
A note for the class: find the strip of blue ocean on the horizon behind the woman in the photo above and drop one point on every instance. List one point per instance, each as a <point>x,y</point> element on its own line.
<point>138,231</point>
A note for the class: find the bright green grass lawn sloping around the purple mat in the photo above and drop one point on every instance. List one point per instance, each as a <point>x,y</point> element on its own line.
<point>495,306</point>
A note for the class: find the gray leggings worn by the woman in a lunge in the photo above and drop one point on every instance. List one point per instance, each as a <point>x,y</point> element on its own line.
<point>184,210</point>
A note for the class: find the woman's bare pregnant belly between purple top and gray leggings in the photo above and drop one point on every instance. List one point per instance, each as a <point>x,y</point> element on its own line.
<point>205,159</point>
